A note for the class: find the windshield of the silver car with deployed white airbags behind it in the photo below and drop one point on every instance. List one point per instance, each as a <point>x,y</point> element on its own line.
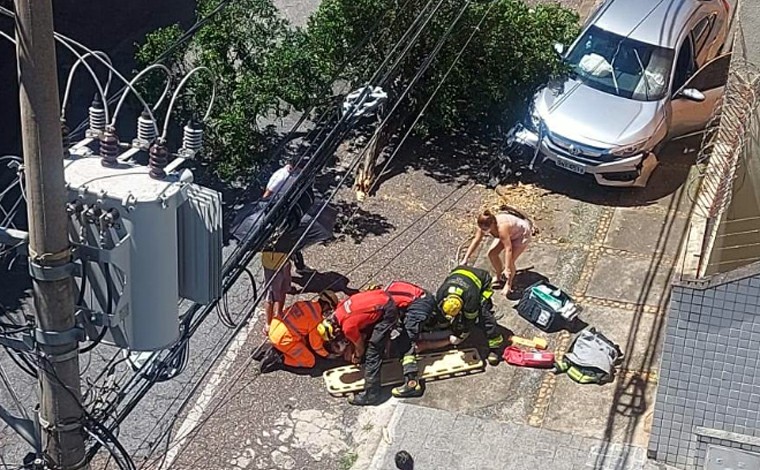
<point>621,66</point>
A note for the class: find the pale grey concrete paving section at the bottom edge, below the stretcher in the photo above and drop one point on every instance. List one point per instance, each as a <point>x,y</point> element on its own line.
<point>439,439</point>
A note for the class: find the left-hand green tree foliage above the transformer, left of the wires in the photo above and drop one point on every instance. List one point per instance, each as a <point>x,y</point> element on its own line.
<point>241,48</point>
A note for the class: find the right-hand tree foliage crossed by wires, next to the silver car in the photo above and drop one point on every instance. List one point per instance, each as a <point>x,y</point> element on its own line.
<point>506,61</point>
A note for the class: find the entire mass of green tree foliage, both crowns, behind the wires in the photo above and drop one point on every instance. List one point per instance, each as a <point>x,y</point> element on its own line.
<point>265,68</point>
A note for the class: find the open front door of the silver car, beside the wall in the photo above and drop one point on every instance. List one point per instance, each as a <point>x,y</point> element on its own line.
<point>689,115</point>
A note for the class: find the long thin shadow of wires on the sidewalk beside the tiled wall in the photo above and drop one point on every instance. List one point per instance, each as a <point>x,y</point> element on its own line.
<point>630,398</point>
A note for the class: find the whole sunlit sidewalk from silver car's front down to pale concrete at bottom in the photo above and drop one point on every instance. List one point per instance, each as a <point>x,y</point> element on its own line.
<point>615,253</point>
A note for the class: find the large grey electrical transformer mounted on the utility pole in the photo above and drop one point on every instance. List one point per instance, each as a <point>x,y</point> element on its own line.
<point>142,243</point>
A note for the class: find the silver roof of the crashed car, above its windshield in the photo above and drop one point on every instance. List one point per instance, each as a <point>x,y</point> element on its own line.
<point>658,22</point>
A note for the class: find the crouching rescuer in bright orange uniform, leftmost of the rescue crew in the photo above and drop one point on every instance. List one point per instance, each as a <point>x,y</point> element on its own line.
<point>295,334</point>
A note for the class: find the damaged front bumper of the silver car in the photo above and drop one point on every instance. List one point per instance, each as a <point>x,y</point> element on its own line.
<point>633,171</point>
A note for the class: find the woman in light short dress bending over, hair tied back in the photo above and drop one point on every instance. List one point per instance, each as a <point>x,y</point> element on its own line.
<point>511,230</point>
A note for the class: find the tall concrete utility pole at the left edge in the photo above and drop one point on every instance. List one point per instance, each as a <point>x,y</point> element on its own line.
<point>60,411</point>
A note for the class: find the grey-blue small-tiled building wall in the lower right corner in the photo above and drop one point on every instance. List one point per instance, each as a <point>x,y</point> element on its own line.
<point>709,389</point>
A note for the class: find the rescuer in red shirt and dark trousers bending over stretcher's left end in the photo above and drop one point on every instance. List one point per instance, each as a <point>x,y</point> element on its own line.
<point>366,320</point>
